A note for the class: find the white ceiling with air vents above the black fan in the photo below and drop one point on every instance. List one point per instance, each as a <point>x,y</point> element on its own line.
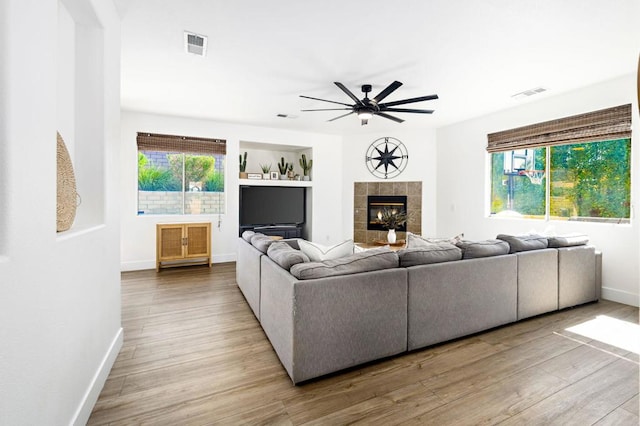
<point>263,54</point>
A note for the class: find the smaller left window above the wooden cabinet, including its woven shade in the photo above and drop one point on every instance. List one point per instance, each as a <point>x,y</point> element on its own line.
<point>180,175</point>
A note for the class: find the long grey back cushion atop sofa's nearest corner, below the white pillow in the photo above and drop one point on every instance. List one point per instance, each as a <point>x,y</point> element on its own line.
<point>370,260</point>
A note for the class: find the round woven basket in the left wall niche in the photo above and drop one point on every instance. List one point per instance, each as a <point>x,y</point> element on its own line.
<point>66,188</point>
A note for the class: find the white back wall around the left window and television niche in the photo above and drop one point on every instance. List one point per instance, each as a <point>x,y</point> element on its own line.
<point>138,232</point>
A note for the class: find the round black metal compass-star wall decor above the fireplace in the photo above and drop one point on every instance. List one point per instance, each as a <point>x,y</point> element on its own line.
<point>386,158</point>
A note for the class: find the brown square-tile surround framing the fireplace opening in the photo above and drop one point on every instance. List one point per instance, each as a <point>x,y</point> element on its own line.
<point>361,190</point>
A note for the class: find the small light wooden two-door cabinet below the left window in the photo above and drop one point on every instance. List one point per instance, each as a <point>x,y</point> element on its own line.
<point>179,244</point>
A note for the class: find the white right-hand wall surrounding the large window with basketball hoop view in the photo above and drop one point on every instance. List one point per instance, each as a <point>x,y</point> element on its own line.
<point>463,187</point>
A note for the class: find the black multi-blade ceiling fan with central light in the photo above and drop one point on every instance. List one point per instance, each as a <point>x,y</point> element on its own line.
<point>367,108</point>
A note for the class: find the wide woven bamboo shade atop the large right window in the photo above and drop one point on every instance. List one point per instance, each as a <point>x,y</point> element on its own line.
<point>606,124</point>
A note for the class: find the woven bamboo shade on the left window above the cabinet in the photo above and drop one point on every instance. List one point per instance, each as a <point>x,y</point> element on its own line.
<point>186,144</point>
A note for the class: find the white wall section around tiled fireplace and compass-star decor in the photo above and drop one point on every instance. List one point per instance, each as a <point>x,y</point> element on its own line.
<point>421,147</point>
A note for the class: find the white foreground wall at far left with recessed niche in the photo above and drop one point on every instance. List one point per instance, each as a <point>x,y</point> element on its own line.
<point>59,293</point>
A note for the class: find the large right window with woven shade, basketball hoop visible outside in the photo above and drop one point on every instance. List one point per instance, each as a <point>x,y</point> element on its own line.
<point>588,175</point>
